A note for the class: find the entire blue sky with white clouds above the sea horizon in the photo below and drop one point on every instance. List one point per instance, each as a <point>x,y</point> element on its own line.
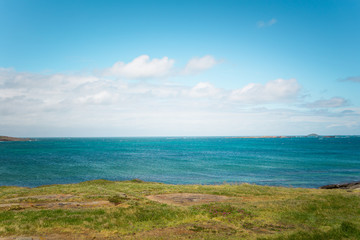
<point>179,68</point>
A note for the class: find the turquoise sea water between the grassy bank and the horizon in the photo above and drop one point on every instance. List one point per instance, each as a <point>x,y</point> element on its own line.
<point>297,162</point>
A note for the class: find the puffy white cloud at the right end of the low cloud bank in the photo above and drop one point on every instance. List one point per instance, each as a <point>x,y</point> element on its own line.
<point>278,90</point>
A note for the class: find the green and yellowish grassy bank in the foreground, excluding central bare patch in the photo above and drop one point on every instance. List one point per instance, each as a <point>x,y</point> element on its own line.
<point>103,209</point>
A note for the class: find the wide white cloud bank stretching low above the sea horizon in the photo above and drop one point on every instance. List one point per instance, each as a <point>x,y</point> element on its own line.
<point>89,105</point>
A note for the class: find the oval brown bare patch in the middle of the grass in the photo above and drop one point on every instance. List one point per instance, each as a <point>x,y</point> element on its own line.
<point>187,199</point>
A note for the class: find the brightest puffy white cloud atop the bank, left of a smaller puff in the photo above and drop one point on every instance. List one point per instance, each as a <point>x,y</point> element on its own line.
<point>142,67</point>
